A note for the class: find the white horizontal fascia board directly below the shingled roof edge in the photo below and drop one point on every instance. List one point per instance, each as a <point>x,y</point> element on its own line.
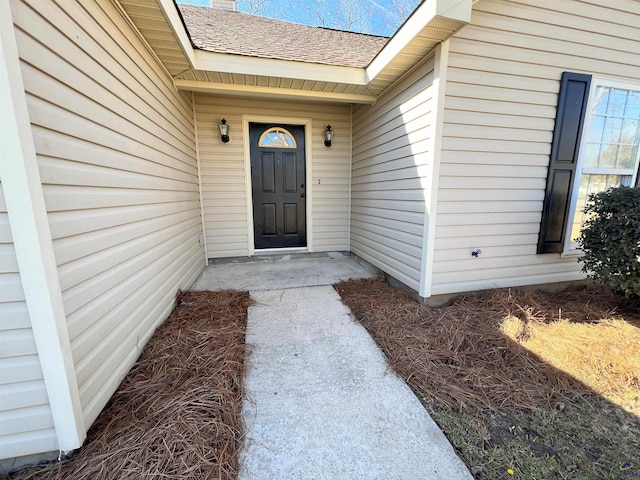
<point>239,64</point>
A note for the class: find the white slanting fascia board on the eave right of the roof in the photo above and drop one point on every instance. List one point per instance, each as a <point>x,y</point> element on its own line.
<point>459,10</point>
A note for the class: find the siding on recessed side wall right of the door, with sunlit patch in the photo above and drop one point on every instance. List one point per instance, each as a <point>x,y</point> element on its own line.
<point>391,156</point>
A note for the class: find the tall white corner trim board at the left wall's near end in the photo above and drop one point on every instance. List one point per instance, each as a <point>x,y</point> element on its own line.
<point>33,244</point>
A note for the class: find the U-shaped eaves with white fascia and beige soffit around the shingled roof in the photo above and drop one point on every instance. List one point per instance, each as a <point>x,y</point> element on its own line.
<point>198,70</point>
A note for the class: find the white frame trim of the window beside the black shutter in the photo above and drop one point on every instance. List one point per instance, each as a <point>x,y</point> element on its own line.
<point>595,83</point>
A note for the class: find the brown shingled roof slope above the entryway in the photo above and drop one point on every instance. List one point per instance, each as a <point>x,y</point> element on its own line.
<point>225,31</point>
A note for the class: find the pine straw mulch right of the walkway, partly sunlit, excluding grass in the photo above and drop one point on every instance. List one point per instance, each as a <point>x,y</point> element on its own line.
<point>462,354</point>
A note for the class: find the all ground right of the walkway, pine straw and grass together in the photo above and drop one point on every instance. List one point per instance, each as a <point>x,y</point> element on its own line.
<point>525,384</point>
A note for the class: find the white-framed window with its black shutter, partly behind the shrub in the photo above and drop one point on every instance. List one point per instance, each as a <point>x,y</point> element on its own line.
<point>595,146</point>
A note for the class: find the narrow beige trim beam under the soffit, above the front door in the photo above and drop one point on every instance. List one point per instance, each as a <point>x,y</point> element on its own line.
<point>271,92</point>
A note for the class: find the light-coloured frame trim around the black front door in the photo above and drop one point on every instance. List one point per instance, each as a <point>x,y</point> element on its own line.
<point>308,125</point>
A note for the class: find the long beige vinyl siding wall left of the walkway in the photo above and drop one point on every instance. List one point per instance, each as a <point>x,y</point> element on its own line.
<point>116,152</point>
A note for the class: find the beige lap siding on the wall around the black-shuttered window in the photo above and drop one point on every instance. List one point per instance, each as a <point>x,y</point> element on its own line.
<point>501,94</point>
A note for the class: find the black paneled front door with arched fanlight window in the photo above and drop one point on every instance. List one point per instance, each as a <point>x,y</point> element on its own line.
<point>278,185</point>
